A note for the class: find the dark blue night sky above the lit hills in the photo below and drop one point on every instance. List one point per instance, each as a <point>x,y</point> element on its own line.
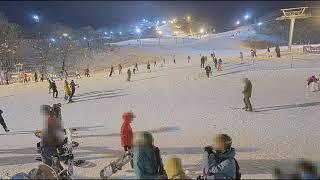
<point>112,13</point>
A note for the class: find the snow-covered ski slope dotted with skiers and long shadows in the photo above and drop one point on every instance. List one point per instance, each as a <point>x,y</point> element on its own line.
<point>183,108</point>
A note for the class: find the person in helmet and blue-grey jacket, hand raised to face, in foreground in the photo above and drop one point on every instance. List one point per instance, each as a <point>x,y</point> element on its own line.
<point>219,161</point>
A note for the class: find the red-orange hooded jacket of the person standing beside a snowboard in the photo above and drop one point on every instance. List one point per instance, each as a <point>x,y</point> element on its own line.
<point>126,131</point>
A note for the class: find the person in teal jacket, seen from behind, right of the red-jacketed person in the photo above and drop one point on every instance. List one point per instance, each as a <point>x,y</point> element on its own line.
<point>147,162</point>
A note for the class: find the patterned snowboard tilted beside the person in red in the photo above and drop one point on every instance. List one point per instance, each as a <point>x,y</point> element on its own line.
<point>116,165</point>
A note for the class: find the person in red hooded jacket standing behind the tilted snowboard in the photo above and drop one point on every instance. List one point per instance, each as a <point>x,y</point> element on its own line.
<point>126,131</point>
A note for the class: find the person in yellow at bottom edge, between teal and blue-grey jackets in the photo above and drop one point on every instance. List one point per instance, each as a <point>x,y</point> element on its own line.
<point>173,168</point>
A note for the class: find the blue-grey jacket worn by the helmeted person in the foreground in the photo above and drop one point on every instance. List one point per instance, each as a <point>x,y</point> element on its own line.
<point>219,165</point>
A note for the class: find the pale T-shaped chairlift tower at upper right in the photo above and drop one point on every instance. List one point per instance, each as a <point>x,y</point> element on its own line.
<point>293,14</point>
